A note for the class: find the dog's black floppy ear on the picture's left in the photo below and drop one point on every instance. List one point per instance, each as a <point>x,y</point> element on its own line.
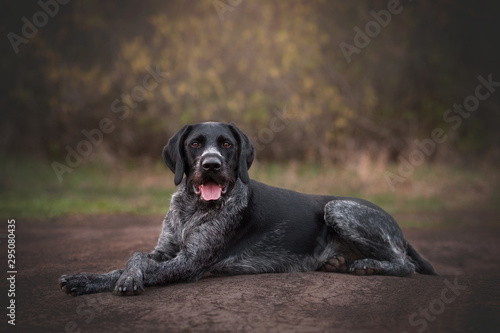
<point>173,153</point>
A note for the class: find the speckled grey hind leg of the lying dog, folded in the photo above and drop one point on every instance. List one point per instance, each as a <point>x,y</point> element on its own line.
<point>373,241</point>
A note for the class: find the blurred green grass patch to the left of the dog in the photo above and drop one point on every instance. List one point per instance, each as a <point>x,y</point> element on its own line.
<point>31,189</point>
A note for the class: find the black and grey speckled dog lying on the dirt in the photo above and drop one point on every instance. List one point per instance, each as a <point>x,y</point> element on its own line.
<point>221,222</point>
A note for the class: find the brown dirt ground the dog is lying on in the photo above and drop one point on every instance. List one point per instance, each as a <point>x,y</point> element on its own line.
<point>465,298</point>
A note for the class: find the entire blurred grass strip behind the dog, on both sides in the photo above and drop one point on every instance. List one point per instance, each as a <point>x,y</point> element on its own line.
<point>30,189</point>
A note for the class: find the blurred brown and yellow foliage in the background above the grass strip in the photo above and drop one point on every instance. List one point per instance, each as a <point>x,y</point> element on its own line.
<point>261,59</point>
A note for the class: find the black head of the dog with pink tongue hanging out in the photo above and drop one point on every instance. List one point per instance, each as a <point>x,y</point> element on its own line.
<point>212,156</point>
